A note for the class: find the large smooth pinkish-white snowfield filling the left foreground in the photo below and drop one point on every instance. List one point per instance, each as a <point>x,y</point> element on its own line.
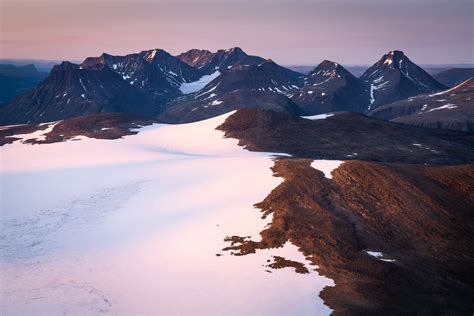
<point>134,226</point>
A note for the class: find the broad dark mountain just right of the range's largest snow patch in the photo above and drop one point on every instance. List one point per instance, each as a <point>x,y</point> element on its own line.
<point>266,85</point>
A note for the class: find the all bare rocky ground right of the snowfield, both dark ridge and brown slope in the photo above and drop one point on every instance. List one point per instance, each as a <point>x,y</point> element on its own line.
<point>394,235</point>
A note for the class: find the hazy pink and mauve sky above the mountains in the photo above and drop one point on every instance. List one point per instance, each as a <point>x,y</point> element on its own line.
<point>302,32</point>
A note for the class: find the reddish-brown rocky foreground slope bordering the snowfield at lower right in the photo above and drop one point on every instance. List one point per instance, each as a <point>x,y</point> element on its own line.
<point>418,217</point>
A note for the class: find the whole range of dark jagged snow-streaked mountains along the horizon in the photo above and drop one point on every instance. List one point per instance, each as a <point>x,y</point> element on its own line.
<point>199,84</point>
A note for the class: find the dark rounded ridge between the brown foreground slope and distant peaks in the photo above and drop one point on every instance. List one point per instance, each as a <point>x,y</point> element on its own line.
<point>348,136</point>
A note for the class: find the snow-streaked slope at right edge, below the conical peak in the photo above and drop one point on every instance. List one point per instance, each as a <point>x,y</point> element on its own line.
<point>450,109</point>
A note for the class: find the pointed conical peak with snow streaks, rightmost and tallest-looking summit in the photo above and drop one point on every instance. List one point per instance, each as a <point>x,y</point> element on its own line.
<point>395,77</point>
